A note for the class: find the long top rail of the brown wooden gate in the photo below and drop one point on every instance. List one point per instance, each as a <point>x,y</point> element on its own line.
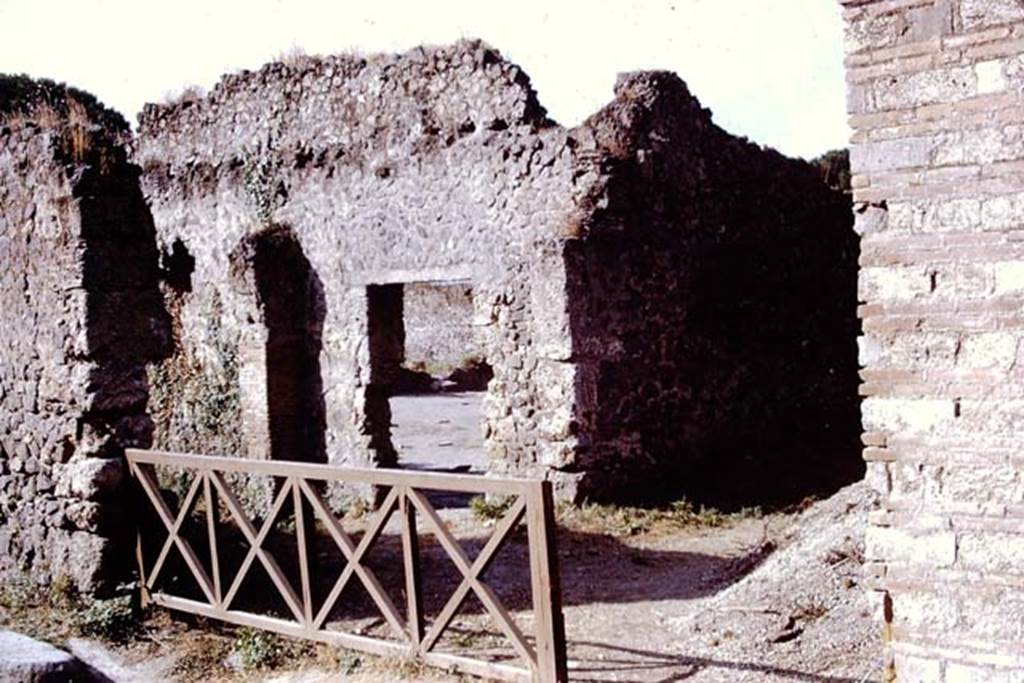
<point>467,484</point>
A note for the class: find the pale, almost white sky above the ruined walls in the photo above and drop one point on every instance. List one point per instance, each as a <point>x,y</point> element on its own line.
<point>771,70</point>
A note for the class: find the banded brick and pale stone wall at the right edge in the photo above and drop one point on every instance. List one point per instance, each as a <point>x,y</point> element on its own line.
<point>935,98</point>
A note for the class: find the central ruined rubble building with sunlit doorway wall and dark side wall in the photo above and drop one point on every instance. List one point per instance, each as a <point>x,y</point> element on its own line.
<point>664,306</point>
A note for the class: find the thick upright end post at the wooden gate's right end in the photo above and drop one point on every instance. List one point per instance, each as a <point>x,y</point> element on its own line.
<point>549,624</point>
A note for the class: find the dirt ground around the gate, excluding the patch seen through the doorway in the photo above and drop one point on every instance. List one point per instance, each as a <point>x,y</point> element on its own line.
<point>776,599</point>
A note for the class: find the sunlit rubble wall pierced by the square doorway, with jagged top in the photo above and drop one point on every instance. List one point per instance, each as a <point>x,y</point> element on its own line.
<point>437,165</point>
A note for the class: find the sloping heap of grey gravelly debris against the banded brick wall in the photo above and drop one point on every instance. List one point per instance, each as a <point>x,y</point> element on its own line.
<point>804,609</point>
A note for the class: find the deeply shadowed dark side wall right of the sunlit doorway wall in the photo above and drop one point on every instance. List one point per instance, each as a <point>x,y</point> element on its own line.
<point>713,307</point>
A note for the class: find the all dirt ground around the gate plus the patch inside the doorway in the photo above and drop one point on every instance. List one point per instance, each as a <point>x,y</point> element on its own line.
<point>671,595</point>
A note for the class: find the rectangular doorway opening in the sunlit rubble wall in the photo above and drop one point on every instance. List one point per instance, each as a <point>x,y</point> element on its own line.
<point>429,377</point>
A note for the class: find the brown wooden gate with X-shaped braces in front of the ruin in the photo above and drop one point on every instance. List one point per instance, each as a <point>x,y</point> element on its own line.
<point>541,658</point>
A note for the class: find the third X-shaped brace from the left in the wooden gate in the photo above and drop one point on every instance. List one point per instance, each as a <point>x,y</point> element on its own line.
<point>354,557</point>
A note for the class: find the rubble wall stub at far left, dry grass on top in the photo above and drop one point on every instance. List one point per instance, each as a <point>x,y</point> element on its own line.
<point>81,318</point>
